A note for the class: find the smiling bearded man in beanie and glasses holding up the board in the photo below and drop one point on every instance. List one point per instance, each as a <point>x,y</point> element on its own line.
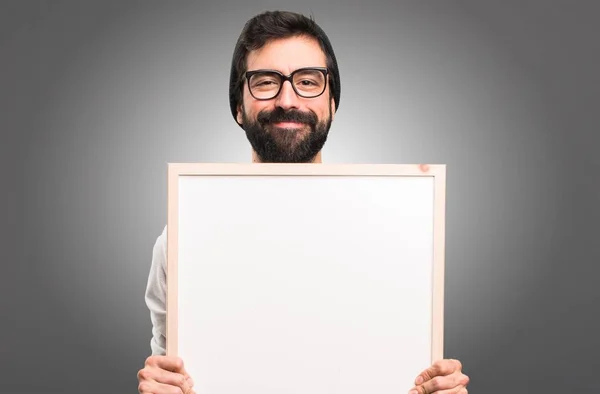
<point>284,93</point>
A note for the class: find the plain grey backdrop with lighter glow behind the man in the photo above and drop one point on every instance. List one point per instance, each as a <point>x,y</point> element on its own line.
<point>96,98</point>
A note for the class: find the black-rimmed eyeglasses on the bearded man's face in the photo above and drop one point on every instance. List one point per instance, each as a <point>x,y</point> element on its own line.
<point>308,82</point>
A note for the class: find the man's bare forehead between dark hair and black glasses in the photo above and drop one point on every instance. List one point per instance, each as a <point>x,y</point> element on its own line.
<point>287,55</point>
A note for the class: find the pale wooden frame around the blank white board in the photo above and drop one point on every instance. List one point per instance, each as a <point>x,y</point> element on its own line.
<point>179,171</point>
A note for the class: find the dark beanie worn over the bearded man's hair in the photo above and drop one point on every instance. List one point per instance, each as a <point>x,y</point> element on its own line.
<point>241,48</point>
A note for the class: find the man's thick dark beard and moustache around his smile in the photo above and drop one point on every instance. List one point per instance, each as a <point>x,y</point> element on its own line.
<point>286,145</point>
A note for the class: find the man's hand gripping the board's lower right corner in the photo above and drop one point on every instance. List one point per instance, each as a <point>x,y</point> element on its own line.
<point>443,377</point>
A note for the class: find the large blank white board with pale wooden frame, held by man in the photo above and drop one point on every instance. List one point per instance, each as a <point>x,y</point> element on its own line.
<point>305,279</point>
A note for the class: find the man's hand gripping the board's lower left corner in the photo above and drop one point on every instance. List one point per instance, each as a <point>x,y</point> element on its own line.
<point>164,375</point>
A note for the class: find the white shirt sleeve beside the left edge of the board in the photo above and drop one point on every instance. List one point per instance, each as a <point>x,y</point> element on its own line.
<point>156,294</point>
